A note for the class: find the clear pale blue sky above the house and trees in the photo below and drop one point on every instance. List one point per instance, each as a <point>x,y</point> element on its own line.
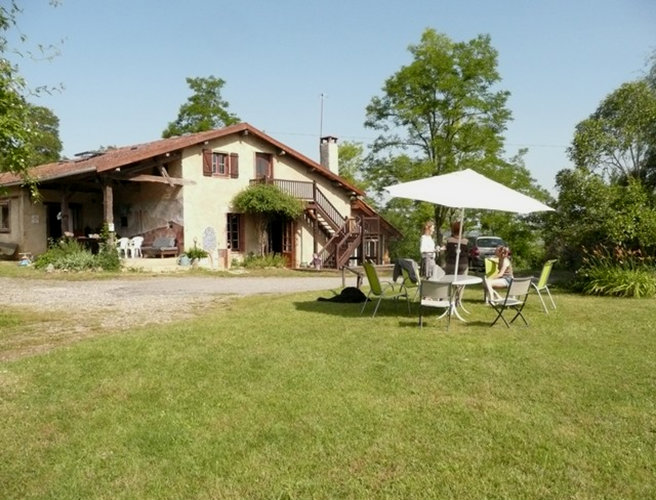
<point>123,63</point>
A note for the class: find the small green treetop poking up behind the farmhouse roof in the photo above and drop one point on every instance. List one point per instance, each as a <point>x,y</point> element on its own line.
<point>204,110</point>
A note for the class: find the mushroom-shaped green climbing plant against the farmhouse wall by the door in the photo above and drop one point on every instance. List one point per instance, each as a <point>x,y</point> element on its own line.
<point>266,202</point>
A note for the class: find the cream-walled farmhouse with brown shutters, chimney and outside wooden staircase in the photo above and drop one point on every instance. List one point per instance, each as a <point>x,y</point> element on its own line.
<point>182,188</point>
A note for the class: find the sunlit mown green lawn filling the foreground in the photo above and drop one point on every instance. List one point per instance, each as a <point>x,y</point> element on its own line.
<point>287,397</point>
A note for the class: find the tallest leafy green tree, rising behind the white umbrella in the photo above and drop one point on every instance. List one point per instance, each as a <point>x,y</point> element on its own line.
<point>442,110</point>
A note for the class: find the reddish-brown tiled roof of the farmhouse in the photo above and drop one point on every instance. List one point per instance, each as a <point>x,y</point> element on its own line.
<point>124,156</point>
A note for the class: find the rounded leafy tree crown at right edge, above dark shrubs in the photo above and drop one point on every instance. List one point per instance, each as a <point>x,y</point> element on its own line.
<point>619,138</point>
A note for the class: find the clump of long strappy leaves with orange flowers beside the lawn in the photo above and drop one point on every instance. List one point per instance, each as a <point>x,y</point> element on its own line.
<point>619,273</point>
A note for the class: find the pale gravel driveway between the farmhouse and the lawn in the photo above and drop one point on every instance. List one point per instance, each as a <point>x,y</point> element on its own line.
<point>119,304</point>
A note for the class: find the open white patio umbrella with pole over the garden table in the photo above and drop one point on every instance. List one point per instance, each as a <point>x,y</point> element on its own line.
<point>466,189</point>
